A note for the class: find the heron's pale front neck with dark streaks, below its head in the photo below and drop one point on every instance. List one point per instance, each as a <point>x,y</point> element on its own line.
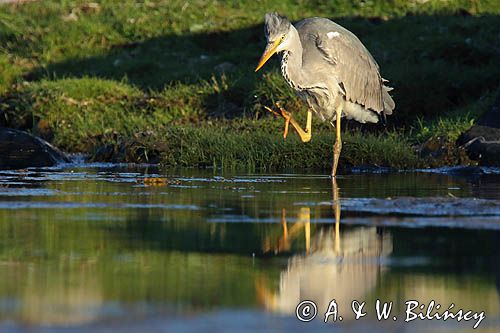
<point>291,61</point>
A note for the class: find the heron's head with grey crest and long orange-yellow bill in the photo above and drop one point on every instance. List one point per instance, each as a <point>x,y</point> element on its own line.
<point>276,29</point>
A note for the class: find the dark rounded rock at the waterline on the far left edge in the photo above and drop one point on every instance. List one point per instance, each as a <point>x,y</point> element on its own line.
<point>19,150</point>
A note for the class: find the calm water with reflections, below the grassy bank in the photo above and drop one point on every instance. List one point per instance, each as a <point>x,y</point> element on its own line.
<point>106,248</point>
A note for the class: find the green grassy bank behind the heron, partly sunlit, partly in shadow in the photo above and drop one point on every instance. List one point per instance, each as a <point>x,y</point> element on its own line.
<point>173,81</point>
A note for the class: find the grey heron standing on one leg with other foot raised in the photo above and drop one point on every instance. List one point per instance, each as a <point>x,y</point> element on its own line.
<point>330,70</point>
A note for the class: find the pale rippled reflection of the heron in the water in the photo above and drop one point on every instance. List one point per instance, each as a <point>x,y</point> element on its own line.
<point>336,265</point>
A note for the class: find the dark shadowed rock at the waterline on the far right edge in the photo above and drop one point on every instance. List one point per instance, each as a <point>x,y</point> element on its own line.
<point>482,141</point>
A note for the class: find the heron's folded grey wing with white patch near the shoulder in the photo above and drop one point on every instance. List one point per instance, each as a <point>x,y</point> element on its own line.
<point>354,67</point>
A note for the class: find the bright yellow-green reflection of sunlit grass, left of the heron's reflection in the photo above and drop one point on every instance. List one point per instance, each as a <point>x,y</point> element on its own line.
<point>79,288</point>
